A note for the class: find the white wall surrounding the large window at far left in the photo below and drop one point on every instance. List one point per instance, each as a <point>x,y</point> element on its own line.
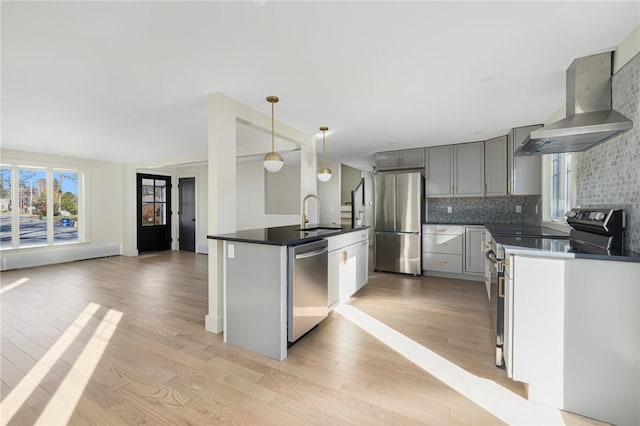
<point>103,225</point>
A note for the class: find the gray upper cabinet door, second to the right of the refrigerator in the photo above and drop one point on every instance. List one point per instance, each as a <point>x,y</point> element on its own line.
<point>469,169</point>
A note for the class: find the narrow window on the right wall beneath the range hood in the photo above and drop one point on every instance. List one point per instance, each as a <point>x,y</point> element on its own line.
<point>559,186</point>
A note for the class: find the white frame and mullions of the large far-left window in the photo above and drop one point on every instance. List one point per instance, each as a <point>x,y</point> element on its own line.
<point>50,168</point>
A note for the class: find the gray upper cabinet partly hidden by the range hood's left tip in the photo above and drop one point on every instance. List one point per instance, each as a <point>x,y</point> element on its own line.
<point>525,171</point>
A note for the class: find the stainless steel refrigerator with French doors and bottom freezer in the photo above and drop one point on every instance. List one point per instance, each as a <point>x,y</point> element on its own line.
<point>398,221</point>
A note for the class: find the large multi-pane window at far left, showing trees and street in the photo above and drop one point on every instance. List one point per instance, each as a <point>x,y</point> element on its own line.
<point>46,204</point>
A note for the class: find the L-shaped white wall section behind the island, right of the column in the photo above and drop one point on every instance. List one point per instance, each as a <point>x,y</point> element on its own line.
<point>250,210</point>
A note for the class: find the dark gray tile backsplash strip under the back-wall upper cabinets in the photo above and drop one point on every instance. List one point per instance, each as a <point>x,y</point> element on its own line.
<point>472,210</point>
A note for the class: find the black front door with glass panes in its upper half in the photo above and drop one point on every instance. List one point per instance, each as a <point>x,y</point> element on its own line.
<point>154,212</point>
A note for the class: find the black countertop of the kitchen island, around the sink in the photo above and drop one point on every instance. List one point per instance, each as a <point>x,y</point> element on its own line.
<point>290,235</point>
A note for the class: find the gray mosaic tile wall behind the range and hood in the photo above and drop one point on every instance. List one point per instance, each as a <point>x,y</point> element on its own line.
<point>608,175</point>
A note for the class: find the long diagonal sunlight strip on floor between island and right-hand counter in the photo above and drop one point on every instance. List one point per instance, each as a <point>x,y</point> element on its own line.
<point>502,403</point>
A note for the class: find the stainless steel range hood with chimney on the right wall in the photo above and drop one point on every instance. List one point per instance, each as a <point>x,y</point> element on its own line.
<point>589,117</point>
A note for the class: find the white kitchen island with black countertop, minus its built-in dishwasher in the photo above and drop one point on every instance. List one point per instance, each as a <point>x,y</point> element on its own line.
<point>258,274</point>
